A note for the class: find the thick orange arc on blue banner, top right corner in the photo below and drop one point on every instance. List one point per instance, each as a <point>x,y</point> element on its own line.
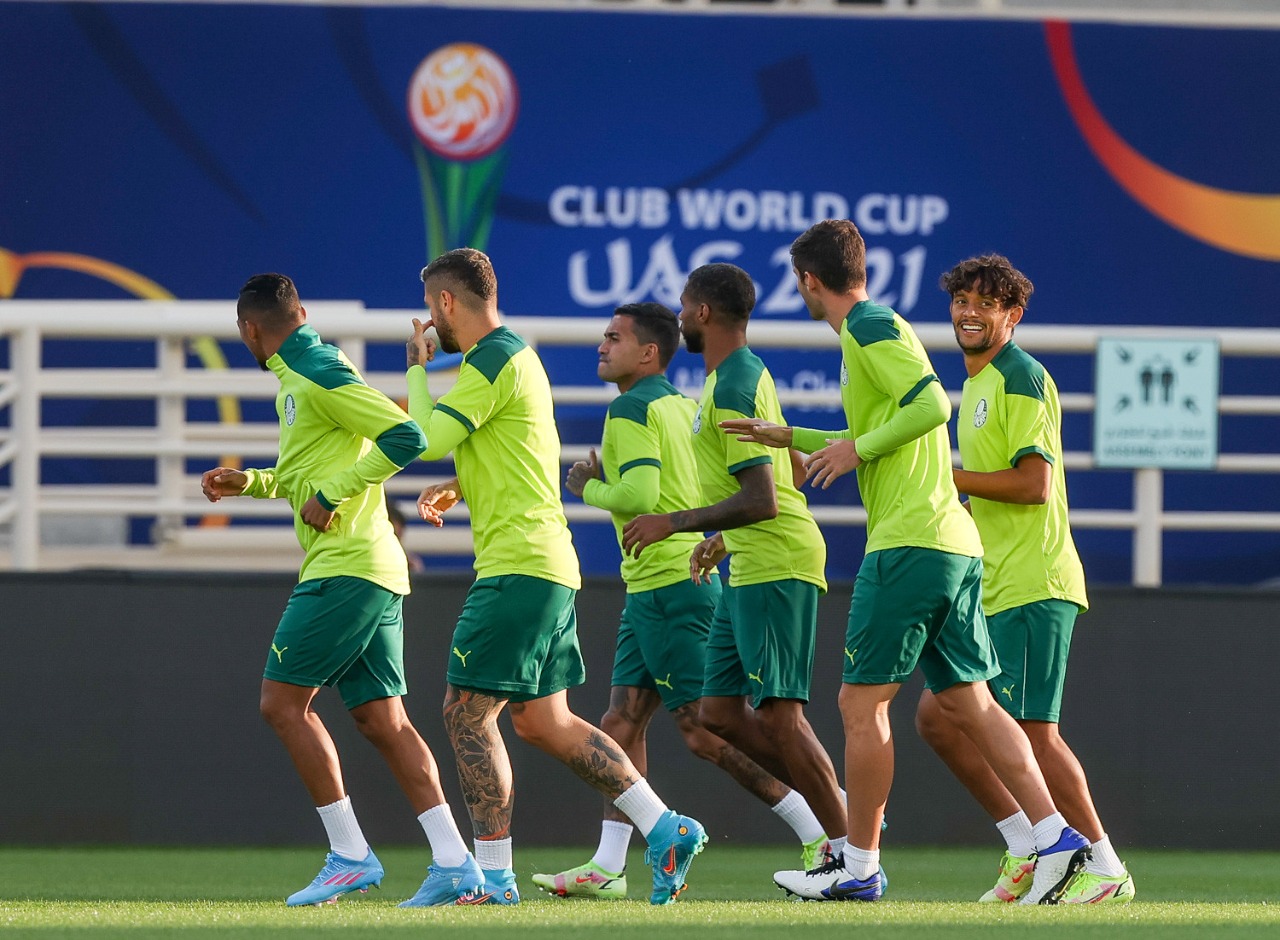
<point>1240,222</point>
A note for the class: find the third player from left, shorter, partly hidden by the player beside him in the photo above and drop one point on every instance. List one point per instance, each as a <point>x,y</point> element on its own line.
<point>647,464</point>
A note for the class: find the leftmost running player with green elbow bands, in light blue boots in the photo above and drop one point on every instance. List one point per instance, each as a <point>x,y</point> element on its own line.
<point>342,627</point>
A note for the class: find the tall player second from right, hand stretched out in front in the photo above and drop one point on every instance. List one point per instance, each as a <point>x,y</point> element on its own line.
<point>918,594</point>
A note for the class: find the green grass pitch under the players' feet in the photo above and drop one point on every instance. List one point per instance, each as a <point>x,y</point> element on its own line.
<point>239,893</point>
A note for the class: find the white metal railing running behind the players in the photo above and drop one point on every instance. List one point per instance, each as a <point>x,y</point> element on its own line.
<point>175,498</point>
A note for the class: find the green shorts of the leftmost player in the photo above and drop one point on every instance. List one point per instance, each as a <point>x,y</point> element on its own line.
<point>342,632</point>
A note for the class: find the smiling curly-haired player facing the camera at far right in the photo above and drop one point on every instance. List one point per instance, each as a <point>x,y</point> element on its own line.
<point>1011,430</point>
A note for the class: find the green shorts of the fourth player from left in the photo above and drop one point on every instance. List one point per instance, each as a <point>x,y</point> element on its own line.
<point>762,642</point>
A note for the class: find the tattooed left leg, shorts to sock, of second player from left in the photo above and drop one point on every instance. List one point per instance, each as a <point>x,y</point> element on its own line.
<point>484,769</point>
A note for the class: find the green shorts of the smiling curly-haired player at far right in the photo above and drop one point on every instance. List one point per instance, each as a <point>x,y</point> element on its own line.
<point>1034,642</point>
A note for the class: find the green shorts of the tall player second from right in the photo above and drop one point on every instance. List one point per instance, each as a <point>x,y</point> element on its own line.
<point>918,606</point>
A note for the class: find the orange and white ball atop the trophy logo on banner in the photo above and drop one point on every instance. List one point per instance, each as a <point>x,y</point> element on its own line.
<point>463,102</point>
